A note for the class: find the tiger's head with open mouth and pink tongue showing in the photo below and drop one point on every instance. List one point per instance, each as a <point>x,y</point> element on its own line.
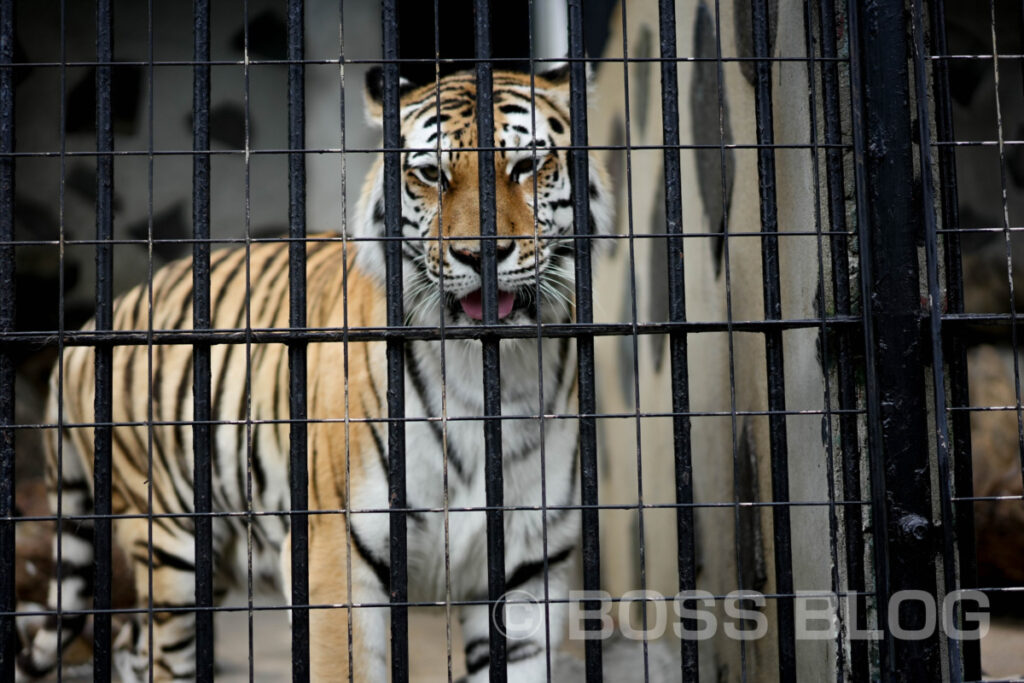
<point>441,199</point>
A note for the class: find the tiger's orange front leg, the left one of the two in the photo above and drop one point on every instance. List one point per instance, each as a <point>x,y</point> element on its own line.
<point>336,634</point>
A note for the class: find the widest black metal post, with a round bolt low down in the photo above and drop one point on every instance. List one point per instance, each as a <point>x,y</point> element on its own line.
<point>888,226</point>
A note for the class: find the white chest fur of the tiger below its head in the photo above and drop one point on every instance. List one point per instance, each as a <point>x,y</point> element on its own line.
<point>538,465</point>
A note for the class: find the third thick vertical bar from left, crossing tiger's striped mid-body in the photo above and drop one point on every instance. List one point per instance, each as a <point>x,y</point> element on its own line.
<point>203,469</point>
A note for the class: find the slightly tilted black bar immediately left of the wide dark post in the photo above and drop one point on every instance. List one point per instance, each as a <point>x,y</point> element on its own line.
<point>844,343</point>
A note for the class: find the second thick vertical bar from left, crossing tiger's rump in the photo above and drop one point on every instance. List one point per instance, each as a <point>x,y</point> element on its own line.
<point>104,353</point>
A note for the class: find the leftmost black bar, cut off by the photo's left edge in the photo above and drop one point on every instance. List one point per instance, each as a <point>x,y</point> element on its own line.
<point>9,602</point>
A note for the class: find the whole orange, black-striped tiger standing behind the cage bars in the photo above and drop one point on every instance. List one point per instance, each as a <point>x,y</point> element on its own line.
<point>348,436</point>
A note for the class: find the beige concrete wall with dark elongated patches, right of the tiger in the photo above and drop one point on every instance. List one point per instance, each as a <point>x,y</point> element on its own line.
<point>731,450</point>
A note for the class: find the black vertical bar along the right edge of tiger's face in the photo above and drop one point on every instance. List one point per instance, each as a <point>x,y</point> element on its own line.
<point>580,175</point>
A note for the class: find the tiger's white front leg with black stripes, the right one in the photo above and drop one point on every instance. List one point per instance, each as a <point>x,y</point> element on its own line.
<point>535,627</point>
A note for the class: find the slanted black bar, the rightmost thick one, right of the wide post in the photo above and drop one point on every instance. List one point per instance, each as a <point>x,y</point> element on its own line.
<point>956,350</point>
